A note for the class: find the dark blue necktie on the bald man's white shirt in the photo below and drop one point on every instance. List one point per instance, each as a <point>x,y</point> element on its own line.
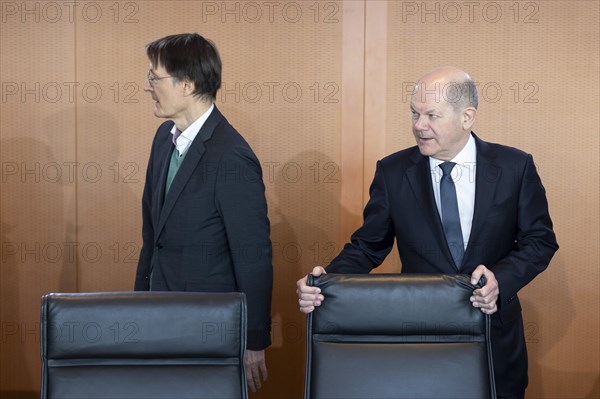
<point>450,215</point>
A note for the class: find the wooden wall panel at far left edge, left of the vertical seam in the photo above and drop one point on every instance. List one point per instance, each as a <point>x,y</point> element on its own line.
<point>37,132</point>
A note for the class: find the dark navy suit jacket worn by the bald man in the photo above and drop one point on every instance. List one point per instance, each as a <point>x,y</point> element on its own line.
<point>511,234</point>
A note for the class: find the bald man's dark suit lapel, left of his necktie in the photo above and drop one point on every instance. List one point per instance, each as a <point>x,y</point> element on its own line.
<point>419,177</point>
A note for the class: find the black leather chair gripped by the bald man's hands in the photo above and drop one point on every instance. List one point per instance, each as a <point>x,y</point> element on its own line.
<point>397,336</point>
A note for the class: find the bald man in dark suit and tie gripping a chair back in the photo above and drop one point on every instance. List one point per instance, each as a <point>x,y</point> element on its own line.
<point>493,221</point>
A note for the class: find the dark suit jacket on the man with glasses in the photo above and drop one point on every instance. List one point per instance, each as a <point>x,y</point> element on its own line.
<point>210,232</point>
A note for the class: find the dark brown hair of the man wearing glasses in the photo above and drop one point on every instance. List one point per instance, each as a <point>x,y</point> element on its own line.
<point>189,56</point>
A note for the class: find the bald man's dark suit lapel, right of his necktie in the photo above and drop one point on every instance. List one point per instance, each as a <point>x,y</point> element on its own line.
<point>487,177</point>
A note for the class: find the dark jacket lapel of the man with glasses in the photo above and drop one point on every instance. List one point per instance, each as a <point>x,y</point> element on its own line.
<point>189,164</point>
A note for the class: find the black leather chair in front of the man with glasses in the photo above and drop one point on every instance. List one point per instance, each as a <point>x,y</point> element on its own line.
<point>146,345</point>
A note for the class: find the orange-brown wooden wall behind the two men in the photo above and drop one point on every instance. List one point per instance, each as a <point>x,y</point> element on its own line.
<point>320,89</point>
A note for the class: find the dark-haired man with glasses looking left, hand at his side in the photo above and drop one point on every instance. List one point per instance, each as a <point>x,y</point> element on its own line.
<point>205,225</point>
